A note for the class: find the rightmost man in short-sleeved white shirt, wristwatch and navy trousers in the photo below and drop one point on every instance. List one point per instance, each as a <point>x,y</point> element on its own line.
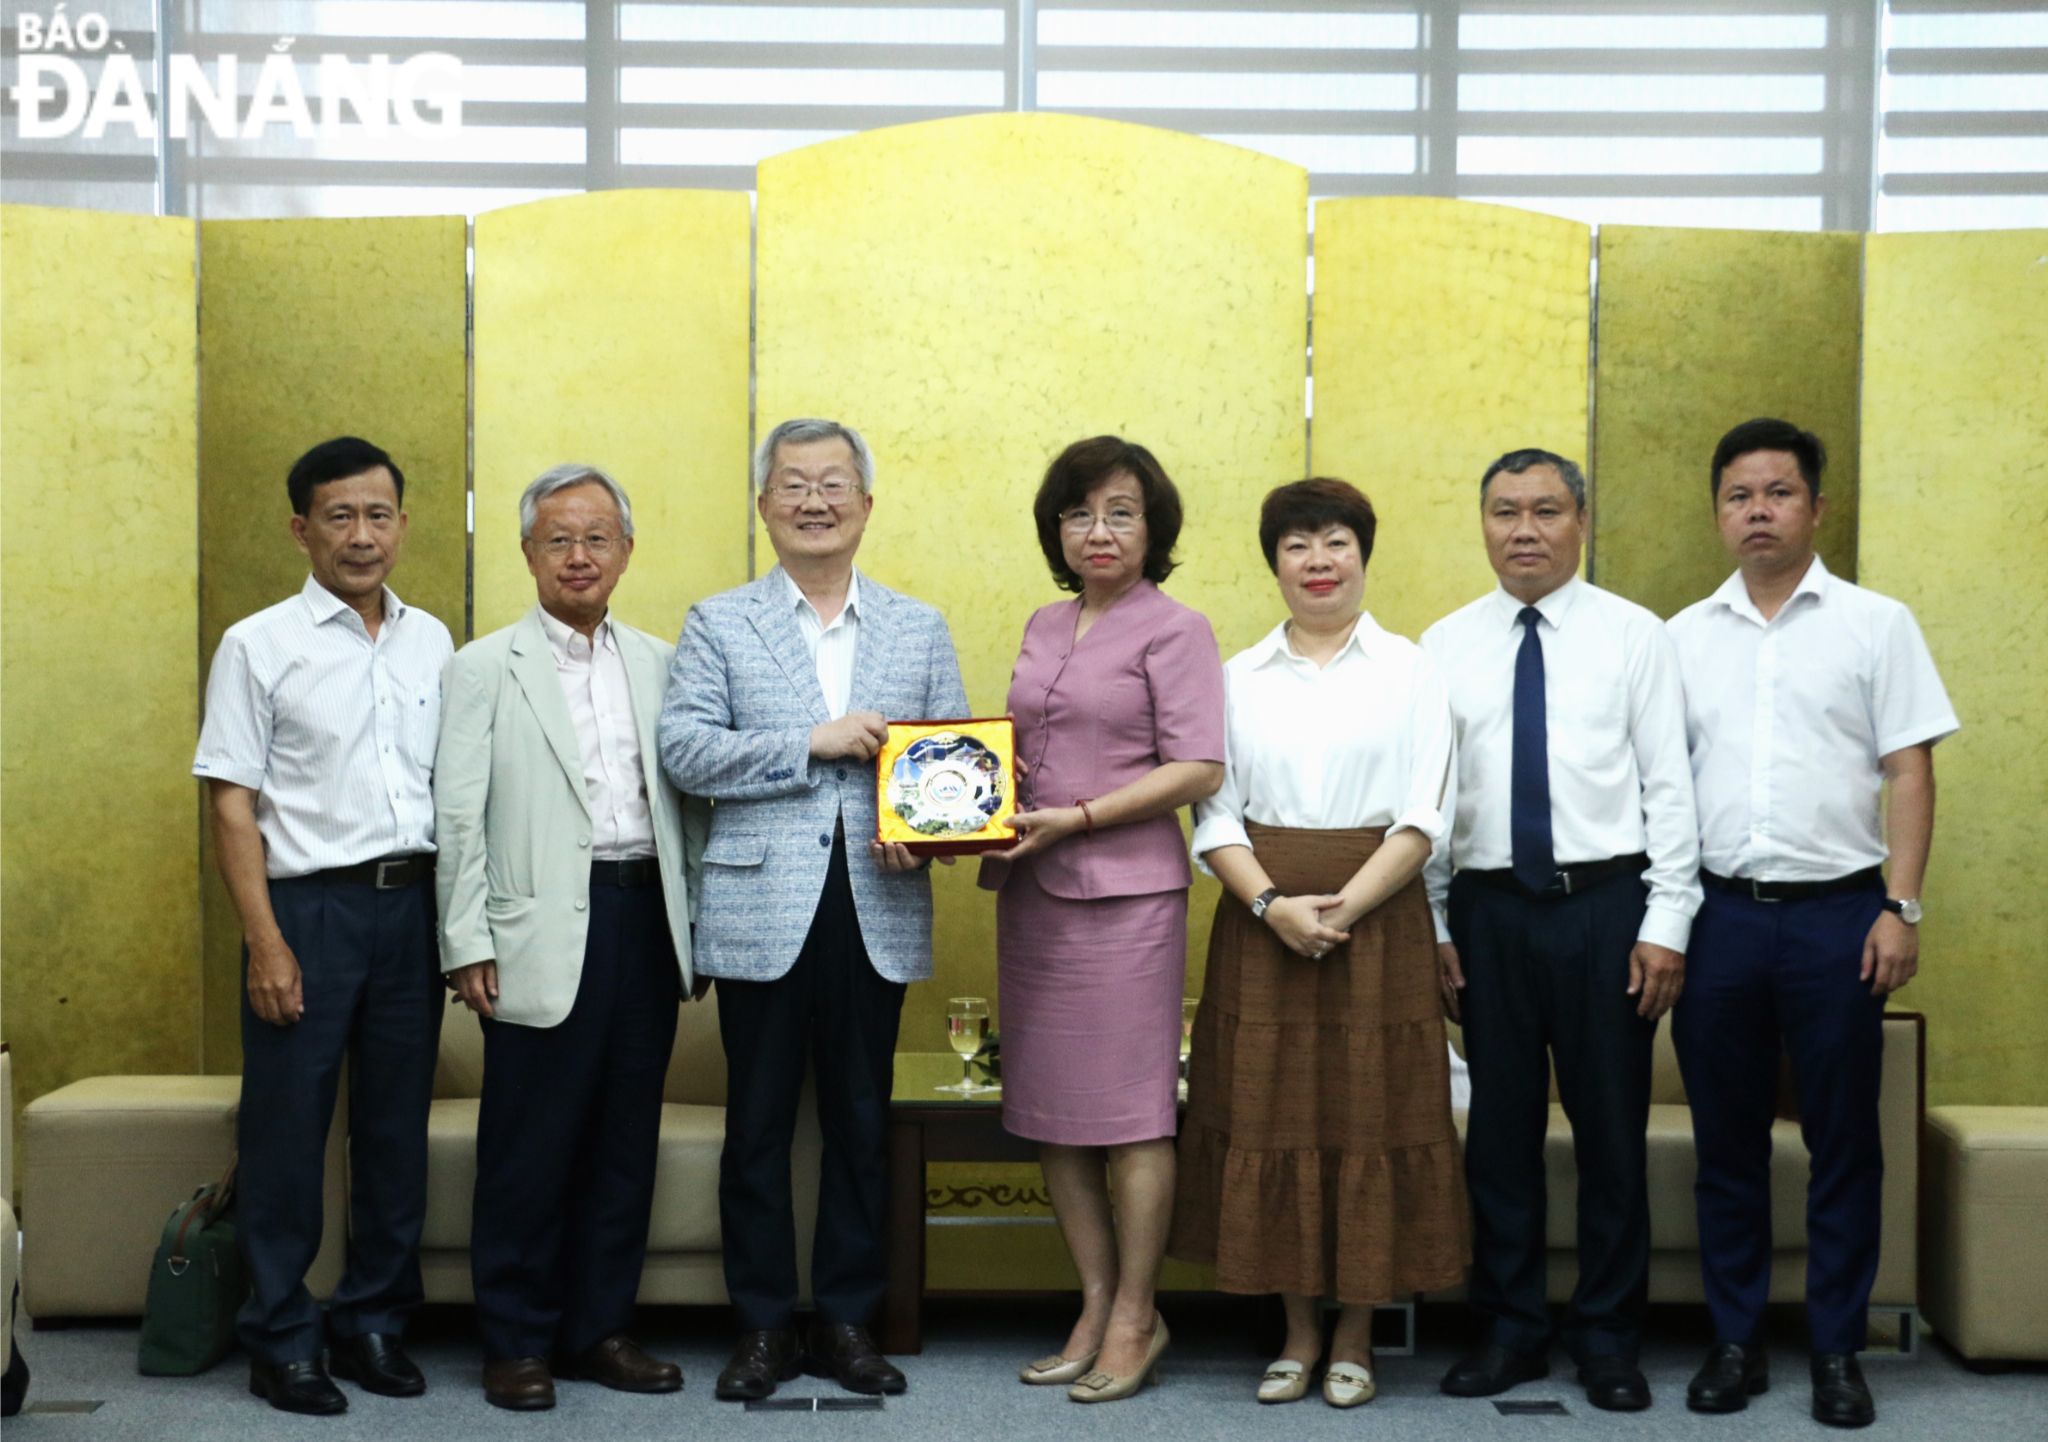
<point>1809,702</point>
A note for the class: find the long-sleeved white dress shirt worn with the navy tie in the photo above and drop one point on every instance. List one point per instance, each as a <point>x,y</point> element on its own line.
<point>1621,781</point>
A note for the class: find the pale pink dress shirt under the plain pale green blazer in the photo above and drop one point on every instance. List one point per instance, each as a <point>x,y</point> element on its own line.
<point>601,706</point>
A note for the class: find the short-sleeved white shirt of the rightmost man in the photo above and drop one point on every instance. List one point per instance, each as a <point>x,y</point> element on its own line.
<point>1787,722</point>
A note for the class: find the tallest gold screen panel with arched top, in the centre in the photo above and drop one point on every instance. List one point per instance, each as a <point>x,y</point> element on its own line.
<point>978,294</point>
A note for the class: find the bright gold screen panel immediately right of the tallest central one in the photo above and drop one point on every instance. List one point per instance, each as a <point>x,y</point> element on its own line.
<point>1445,335</point>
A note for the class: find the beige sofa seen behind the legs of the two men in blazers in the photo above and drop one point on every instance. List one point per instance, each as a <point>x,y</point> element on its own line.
<point>683,1242</point>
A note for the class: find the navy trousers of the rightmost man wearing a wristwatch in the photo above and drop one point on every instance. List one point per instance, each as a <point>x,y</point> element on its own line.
<point>1768,976</point>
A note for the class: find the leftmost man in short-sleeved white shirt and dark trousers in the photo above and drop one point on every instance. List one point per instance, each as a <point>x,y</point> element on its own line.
<point>318,749</point>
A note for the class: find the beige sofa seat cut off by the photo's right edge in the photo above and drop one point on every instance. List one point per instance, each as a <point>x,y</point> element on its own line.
<point>1986,1197</point>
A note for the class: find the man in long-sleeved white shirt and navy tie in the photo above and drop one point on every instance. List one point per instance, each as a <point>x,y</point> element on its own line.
<point>1564,896</point>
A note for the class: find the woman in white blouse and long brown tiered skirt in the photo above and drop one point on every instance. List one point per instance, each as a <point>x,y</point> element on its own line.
<point>1318,1158</point>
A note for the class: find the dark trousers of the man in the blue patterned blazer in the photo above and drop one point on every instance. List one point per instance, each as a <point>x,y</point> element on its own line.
<point>833,1011</point>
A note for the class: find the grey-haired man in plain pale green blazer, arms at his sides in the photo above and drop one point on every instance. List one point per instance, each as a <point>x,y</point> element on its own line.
<point>566,882</point>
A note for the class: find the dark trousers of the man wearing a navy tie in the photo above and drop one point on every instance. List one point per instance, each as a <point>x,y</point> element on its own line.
<point>1549,980</point>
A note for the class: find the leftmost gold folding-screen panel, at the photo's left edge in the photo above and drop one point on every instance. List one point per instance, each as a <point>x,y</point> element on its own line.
<point>99,704</point>
